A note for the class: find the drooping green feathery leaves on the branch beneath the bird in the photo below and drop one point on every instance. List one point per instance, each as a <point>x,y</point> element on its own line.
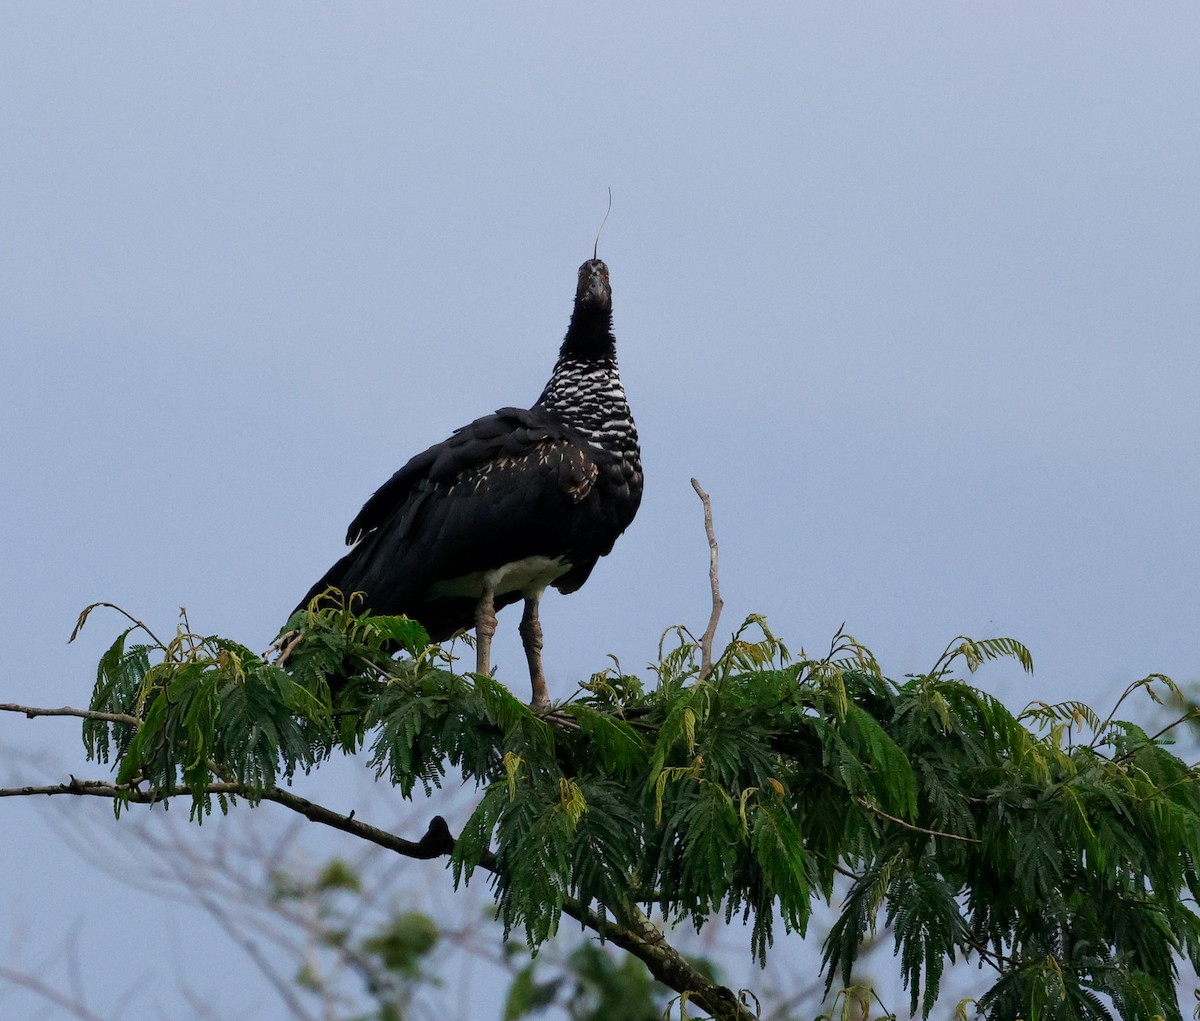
<point>1066,866</point>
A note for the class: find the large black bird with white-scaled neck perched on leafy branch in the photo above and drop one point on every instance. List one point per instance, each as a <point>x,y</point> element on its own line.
<point>511,505</point>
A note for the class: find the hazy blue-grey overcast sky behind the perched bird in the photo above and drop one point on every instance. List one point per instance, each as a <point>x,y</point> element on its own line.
<point>913,290</point>
